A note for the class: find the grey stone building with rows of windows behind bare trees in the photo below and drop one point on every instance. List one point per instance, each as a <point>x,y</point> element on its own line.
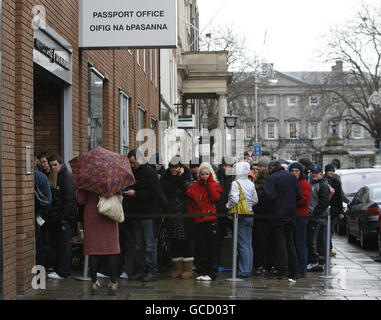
<point>296,119</point>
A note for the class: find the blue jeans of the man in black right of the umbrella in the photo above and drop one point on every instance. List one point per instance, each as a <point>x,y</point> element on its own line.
<point>145,246</point>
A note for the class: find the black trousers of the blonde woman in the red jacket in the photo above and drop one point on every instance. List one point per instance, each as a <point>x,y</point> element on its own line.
<point>205,241</point>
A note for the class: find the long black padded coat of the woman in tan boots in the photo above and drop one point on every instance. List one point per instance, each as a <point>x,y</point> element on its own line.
<point>174,188</point>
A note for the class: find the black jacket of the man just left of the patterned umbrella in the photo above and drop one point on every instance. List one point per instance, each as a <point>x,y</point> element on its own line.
<point>64,201</point>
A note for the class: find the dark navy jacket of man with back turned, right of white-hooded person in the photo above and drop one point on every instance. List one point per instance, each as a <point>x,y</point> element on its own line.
<point>283,192</point>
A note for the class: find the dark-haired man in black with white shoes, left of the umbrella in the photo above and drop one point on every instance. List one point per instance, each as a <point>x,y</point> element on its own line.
<point>61,215</point>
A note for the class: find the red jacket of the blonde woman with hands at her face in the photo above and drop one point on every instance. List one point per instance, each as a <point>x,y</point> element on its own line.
<point>202,198</point>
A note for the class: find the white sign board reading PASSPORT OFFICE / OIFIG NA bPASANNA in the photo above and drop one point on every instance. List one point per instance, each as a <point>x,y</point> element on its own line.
<point>127,23</point>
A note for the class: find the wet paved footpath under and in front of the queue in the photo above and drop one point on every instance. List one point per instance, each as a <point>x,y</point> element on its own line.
<point>356,276</point>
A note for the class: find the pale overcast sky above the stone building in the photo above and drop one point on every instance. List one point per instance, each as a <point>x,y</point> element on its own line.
<point>293,28</point>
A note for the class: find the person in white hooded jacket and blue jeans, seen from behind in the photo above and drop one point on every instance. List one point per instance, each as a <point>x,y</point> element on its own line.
<point>245,224</point>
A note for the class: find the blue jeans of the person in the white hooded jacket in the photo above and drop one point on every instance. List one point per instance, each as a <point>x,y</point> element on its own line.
<point>245,246</point>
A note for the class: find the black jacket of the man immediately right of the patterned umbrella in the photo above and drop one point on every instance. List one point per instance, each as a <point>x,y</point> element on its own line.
<point>149,197</point>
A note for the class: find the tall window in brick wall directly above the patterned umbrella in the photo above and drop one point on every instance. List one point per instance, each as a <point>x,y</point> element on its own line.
<point>95,109</point>
